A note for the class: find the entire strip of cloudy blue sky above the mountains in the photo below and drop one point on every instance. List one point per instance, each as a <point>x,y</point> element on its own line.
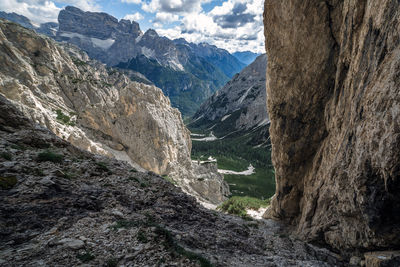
<point>235,25</point>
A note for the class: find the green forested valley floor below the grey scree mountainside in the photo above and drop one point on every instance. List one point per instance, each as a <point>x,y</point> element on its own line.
<point>236,153</point>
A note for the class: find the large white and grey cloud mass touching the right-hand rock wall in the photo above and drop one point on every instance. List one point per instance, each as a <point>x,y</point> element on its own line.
<point>236,25</point>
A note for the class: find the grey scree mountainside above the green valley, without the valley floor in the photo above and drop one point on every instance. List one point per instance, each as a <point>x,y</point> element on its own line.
<point>239,106</point>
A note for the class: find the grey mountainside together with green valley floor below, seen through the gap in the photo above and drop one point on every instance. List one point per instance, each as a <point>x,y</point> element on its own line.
<point>236,122</point>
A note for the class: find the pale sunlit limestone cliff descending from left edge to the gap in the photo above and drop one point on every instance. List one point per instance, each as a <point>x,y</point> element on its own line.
<point>99,109</point>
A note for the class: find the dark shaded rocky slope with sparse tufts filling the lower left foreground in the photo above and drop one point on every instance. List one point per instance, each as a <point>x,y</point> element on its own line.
<point>64,206</point>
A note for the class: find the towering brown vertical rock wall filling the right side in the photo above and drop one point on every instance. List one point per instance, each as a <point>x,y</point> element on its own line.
<point>334,102</point>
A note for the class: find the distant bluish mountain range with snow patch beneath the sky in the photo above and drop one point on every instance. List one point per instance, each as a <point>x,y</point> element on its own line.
<point>187,73</point>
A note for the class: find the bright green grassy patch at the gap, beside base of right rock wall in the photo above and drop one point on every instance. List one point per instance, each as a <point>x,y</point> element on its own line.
<point>238,205</point>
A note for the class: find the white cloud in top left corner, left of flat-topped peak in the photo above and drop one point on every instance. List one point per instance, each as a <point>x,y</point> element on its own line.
<point>39,11</point>
